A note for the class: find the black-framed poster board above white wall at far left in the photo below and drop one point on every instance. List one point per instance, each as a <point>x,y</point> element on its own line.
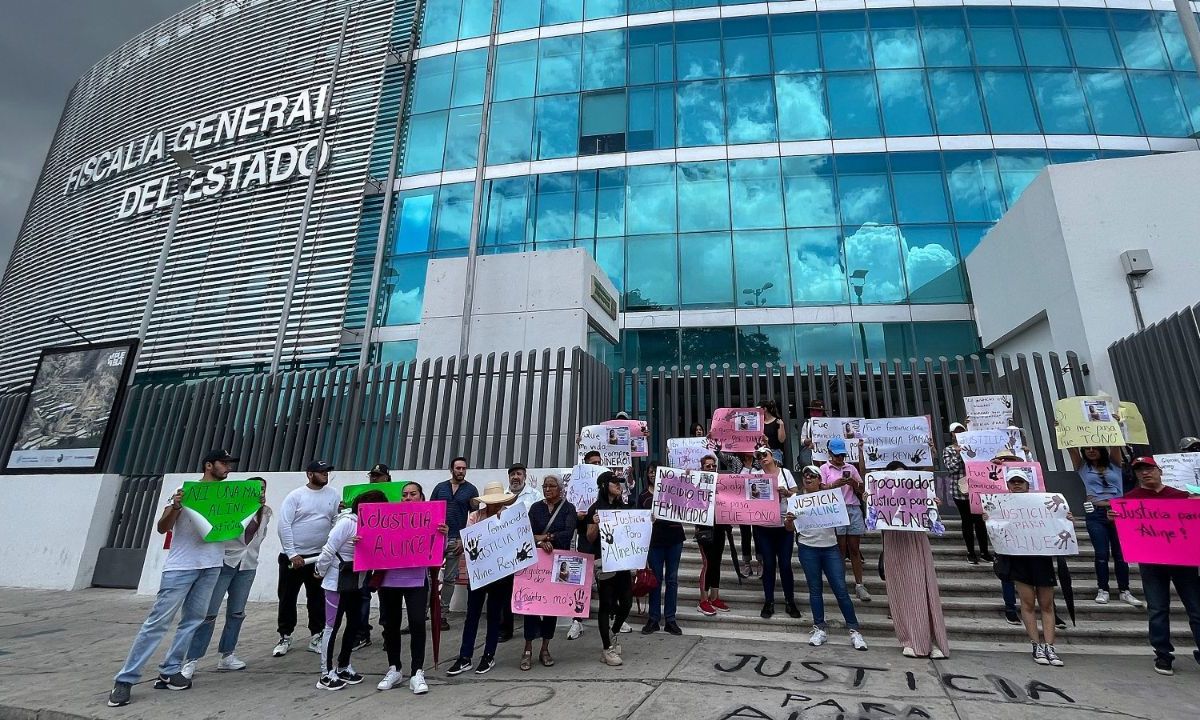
<point>67,424</point>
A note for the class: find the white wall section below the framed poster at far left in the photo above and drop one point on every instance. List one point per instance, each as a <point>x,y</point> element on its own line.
<point>53,529</point>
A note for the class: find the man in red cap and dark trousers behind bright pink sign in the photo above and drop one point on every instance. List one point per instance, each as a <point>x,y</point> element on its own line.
<point>1157,580</point>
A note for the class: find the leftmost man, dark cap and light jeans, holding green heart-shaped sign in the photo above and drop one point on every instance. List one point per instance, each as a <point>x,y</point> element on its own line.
<point>189,575</point>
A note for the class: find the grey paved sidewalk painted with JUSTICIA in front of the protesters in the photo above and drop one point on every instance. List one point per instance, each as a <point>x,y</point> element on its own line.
<point>59,652</point>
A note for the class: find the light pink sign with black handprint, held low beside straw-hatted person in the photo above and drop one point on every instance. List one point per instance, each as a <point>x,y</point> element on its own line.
<point>560,585</point>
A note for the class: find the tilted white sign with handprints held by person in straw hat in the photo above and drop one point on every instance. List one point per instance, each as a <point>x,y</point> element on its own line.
<point>499,547</point>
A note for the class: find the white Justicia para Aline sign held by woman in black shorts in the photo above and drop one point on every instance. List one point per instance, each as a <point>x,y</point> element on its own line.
<point>1030,524</point>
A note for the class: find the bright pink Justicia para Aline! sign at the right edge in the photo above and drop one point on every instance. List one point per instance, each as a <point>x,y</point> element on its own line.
<point>1160,532</point>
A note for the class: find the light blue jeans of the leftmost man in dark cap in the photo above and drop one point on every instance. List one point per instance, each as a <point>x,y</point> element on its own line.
<point>188,590</point>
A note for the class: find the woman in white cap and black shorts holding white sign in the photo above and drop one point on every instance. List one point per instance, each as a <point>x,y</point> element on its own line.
<point>1035,579</point>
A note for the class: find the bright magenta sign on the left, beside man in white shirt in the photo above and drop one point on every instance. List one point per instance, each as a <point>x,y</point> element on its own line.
<point>394,536</point>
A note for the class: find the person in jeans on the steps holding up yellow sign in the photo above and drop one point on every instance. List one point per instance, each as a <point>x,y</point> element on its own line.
<point>1101,471</point>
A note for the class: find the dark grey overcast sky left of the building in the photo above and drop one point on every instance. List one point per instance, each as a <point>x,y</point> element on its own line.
<point>45,47</point>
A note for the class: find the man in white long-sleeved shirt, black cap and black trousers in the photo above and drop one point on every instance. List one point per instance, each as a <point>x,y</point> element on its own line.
<point>305,520</point>
